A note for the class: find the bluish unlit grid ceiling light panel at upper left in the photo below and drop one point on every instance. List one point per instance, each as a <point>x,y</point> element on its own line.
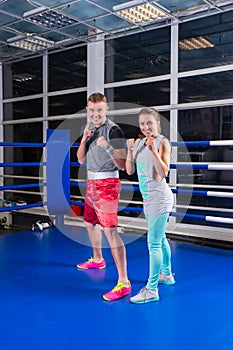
<point>52,19</point>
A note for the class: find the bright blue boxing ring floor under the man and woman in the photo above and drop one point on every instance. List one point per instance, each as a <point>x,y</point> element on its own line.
<point>46,303</point>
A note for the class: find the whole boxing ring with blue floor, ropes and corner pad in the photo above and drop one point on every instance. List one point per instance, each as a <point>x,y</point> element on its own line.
<point>46,303</point>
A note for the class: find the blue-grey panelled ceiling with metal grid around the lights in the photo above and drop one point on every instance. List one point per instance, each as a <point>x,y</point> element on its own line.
<point>86,19</point>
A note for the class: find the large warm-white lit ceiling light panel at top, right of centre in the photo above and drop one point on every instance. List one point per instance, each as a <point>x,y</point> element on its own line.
<point>142,13</point>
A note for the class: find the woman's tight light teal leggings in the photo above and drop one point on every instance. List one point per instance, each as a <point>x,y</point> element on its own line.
<point>159,248</point>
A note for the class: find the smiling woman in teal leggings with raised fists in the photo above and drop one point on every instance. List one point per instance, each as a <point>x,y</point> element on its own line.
<point>152,157</point>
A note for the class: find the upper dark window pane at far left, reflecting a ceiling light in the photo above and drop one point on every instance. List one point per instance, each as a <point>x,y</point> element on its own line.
<point>23,78</point>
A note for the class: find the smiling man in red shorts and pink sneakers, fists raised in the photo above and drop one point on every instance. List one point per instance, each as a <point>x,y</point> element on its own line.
<point>102,148</point>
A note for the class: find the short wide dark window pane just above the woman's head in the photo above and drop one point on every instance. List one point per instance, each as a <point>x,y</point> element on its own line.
<point>150,94</point>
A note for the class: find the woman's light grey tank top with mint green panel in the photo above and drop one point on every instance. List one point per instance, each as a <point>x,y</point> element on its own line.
<point>157,196</point>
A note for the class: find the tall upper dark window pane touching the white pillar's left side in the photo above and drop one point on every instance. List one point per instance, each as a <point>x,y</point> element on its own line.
<point>68,69</point>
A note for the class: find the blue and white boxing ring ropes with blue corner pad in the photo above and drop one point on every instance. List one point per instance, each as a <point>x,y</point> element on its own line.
<point>57,183</point>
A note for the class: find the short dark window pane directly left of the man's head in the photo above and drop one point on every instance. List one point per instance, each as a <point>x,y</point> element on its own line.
<point>67,104</point>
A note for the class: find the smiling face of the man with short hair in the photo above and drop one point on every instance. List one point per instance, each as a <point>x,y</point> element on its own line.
<point>97,112</point>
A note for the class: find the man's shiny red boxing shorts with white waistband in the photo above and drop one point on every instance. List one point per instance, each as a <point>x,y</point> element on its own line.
<point>101,202</point>
